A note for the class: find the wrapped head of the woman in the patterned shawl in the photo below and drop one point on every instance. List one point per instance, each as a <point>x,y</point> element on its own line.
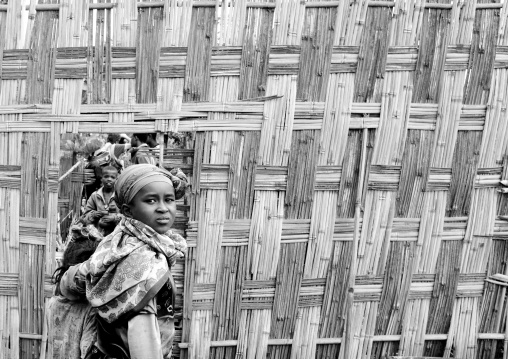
<point>148,193</point>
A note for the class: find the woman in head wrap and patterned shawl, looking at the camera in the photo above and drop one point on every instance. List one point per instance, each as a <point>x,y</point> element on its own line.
<point>128,278</point>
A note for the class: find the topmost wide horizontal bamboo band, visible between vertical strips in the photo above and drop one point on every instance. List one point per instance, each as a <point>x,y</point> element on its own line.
<point>283,60</point>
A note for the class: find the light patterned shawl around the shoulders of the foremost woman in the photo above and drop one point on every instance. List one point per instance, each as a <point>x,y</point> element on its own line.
<point>129,267</point>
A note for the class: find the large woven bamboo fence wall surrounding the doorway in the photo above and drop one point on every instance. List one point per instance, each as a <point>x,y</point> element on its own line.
<point>348,163</point>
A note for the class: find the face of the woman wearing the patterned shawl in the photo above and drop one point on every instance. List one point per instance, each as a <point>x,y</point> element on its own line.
<point>155,206</point>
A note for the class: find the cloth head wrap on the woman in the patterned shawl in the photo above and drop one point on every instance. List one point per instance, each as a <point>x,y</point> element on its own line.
<point>135,177</point>
